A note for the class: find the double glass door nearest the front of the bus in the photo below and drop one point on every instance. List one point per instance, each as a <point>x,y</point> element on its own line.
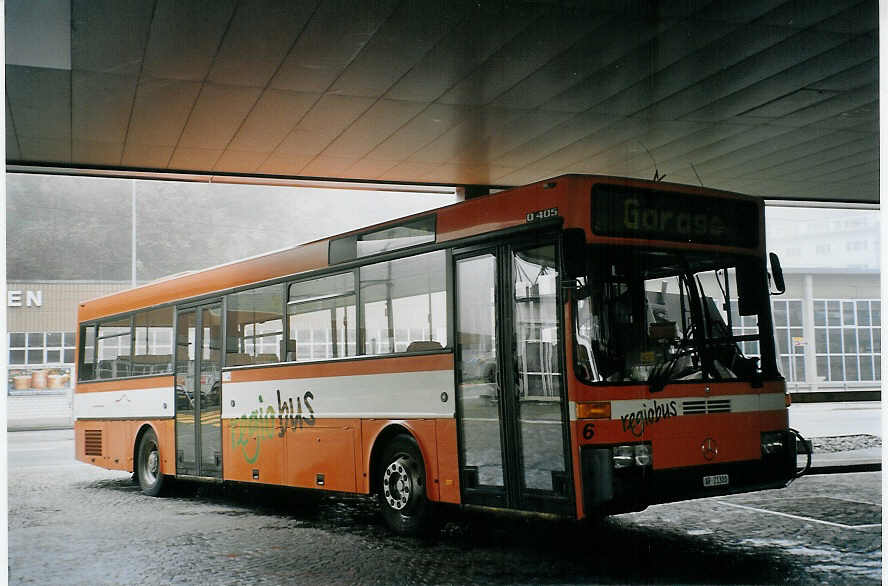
<point>511,406</point>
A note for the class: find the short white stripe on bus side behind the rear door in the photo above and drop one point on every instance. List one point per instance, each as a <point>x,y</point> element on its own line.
<point>129,404</point>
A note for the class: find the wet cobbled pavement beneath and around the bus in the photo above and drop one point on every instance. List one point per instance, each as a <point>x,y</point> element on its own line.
<point>70,523</point>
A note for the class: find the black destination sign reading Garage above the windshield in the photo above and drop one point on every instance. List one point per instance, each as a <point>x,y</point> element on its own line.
<point>632,212</point>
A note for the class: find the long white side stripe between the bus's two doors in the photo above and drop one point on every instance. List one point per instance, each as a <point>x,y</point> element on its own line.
<point>403,395</point>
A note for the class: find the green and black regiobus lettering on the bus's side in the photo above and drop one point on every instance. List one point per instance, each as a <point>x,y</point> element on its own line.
<point>266,422</point>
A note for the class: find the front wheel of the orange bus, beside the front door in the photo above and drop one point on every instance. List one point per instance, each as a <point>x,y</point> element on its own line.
<point>402,487</point>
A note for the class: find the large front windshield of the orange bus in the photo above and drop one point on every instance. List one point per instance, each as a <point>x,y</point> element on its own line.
<point>664,316</point>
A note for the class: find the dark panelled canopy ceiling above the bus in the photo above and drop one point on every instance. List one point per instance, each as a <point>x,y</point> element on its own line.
<point>775,99</point>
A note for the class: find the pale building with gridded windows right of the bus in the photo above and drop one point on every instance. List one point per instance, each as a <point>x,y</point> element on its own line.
<point>828,323</point>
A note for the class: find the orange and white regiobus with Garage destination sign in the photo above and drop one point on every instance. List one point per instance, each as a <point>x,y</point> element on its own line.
<point>580,346</point>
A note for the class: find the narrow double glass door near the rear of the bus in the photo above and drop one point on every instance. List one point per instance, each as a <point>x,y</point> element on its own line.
<point>198,391</point>
